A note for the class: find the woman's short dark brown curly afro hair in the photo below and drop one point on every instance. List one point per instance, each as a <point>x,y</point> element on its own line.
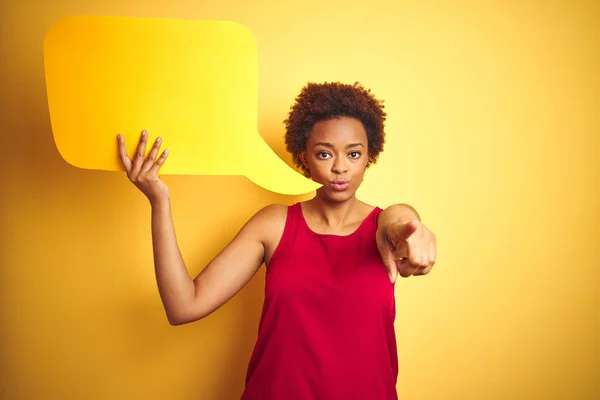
<point>318,102</point>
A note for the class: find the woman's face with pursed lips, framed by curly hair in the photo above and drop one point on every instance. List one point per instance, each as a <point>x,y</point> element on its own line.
<point>337,155</point>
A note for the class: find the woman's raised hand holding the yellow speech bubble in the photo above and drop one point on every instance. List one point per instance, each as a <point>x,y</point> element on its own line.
<point>143,172</point>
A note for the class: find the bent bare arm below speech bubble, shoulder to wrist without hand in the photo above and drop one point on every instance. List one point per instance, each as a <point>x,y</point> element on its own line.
<point>186,300</point>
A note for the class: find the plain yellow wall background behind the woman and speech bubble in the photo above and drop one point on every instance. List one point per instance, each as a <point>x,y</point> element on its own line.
<point>493,135</point>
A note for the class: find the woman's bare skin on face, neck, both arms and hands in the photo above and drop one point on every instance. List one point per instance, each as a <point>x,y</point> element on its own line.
<point>336,150</point>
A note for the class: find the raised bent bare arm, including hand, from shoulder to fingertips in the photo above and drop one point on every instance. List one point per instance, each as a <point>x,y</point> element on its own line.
<point>186,300</point>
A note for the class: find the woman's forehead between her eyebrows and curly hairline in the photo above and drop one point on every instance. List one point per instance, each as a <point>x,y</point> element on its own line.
<point>338,131</point>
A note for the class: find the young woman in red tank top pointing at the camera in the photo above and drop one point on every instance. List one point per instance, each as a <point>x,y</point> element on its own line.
<point>327,326</point>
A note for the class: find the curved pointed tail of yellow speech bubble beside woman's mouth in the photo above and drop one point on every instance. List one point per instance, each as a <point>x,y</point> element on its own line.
<point>272,173</point>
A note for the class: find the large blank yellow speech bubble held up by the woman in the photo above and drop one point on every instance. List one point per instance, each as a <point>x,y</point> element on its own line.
<point>194,83</point>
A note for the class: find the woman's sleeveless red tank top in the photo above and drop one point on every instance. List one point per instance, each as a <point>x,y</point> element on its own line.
<point>327,325</point>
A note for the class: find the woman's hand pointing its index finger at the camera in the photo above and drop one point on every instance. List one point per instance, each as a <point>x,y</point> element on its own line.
<point>408,248</point>
